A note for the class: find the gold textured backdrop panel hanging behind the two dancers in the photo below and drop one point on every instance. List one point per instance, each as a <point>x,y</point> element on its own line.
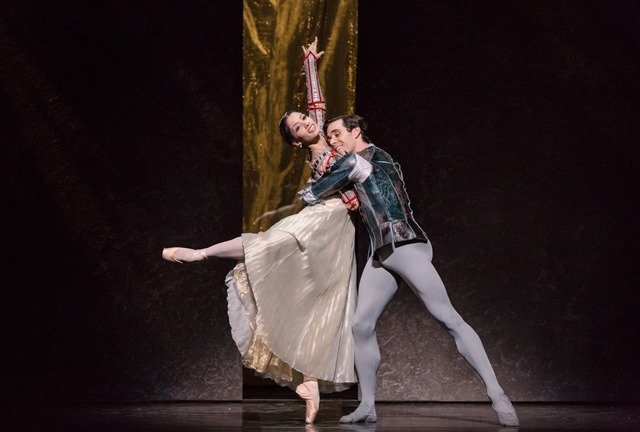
<point>273,82</point>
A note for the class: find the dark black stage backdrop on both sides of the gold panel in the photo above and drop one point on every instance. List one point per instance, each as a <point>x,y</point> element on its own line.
<point>517,128</point>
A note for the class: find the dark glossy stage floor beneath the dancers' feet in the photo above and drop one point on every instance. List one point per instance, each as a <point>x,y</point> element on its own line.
<point>288,415</point>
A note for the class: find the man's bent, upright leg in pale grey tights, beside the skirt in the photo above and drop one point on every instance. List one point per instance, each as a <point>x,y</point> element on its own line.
<point>377,287</point>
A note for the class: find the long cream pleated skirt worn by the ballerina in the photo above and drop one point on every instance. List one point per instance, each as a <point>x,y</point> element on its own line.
<point>292,298</point>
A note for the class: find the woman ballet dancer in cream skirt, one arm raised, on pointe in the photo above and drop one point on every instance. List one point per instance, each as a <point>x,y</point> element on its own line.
<point>292,293</point>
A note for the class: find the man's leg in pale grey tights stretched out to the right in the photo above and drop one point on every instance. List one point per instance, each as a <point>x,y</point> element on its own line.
<point>413,263</point>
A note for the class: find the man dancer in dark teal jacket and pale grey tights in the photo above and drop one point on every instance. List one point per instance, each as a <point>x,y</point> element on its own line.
<point>398,247</point>
